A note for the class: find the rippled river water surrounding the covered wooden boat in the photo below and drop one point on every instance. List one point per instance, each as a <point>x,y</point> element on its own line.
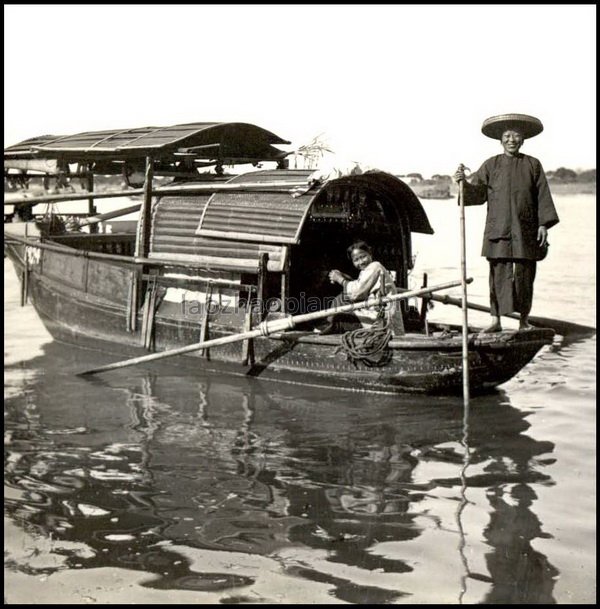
<point>143,486</point>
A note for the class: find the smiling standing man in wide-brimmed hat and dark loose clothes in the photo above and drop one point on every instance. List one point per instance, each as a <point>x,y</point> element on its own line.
<point>520,212</point>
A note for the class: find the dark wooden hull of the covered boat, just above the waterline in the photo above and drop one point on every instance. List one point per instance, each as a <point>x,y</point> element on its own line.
<point>423,364</point>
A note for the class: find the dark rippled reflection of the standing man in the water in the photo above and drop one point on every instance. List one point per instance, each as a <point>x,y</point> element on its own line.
<point>517,573</point>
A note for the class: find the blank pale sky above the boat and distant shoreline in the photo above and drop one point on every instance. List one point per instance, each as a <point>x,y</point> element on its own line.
<point>401,88</point>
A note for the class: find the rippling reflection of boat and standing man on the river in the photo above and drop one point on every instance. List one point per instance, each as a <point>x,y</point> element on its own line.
<point>369,494</point>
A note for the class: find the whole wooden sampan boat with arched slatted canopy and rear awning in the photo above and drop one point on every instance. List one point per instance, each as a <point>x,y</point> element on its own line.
<point>214,255</point>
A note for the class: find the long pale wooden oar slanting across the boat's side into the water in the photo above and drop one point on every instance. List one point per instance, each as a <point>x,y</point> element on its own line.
<point>266,328</point>
